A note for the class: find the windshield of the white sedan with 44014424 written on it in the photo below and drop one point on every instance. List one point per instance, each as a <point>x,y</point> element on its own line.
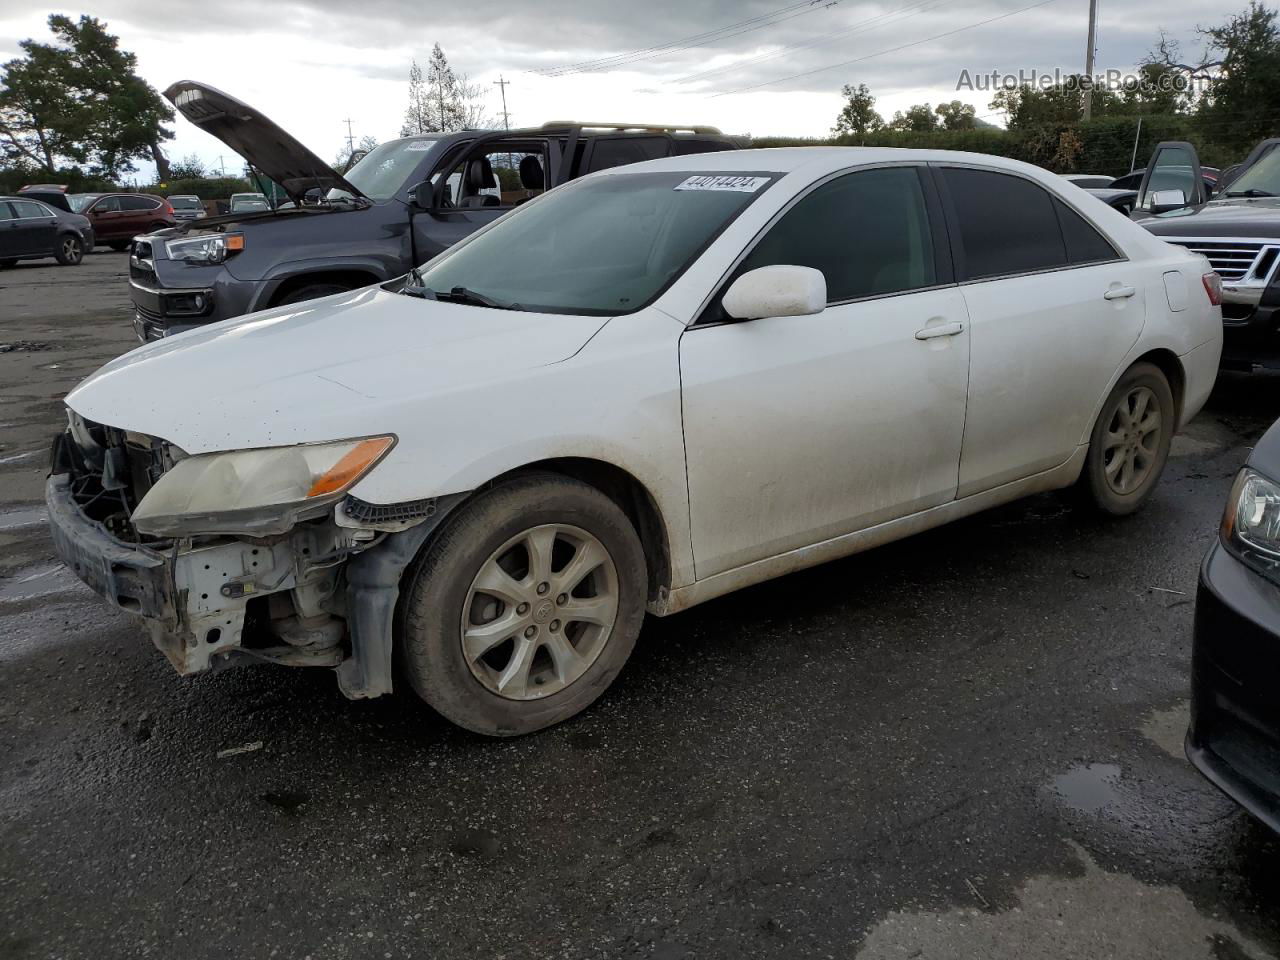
<point>601,246</point>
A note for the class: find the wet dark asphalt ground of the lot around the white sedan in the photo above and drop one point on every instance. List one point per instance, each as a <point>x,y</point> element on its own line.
<point>963,746</point>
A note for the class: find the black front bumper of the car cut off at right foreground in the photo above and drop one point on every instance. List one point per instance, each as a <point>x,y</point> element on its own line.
<point>1235,738</point>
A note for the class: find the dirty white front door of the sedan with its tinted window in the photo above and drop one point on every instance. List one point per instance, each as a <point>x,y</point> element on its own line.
<point>802,429</point>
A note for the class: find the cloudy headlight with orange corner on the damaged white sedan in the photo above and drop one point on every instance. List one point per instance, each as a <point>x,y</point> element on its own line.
<point>258,492</point>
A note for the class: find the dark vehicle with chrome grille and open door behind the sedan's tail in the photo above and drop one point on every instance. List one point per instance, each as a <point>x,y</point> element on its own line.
<point>1237,230</point>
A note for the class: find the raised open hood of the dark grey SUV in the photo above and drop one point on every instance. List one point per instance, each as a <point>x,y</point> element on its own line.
<point>267,147</point>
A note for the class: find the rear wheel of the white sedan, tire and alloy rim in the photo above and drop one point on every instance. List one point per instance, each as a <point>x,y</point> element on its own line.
<point>1130,445</point>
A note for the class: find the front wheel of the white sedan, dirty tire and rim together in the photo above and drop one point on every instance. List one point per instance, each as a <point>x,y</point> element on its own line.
<point>525,607</point>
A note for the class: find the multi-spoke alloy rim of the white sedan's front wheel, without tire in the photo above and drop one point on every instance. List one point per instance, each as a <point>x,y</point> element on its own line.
<point>540,612</point>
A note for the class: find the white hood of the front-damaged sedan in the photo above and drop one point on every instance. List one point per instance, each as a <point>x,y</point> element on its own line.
<point>351,365</point>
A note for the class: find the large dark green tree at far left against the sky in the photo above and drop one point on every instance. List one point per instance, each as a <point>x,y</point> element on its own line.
<point>81,100</point>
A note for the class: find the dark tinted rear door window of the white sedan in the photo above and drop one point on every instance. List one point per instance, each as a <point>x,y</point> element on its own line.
<point>1005,225</point>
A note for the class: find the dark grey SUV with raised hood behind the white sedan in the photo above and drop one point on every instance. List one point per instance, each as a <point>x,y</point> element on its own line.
<point>399,207</point>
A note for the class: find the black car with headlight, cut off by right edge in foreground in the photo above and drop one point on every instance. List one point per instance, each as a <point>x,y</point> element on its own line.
<point>1235,737</point>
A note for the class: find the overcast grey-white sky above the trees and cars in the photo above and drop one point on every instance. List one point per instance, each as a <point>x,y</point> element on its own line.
<point>310,65</point>
